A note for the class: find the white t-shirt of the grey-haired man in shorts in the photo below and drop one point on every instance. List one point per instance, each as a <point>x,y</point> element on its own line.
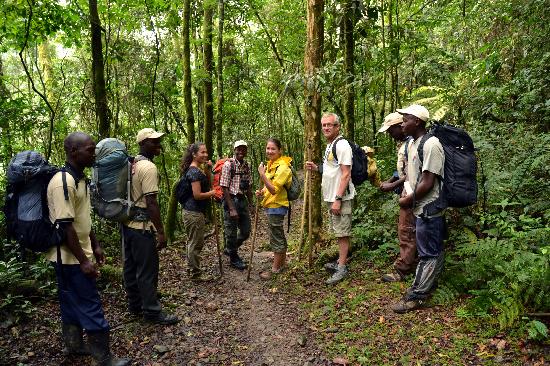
<point>332,172</point>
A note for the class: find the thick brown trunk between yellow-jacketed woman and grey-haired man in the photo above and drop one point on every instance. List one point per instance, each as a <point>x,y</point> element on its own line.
<point>312,140</point>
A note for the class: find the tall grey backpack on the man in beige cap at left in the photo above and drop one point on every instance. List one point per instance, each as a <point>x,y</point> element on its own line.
<point>111,185</point>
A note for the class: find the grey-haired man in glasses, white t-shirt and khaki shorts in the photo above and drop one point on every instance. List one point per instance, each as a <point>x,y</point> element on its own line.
<point>338,191</point>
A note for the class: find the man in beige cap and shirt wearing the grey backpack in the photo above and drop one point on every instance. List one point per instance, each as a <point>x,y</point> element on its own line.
<point>144,235</point>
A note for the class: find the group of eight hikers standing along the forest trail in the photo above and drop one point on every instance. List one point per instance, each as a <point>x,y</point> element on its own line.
<point>78,259</point>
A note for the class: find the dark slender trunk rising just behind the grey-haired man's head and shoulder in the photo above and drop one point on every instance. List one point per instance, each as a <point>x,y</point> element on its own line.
<point>349,69</point>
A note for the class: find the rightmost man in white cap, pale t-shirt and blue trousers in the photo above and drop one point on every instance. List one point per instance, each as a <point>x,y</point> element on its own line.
<point>425,172</point>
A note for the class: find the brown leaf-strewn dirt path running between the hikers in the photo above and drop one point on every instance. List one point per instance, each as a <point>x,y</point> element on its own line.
<point>224,322</point>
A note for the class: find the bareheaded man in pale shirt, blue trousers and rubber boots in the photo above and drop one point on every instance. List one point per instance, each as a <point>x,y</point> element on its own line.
<point>69,207</point>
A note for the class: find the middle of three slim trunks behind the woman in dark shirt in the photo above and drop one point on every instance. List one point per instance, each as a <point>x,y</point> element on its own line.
<point>208,99</point>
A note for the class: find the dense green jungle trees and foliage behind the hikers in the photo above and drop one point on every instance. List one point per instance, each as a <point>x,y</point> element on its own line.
<point>220,71</point>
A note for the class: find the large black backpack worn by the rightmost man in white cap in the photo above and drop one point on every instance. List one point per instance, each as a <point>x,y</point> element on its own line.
<point>460,170</point>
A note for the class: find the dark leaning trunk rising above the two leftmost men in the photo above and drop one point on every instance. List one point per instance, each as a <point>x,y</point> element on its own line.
<point>98,72</point>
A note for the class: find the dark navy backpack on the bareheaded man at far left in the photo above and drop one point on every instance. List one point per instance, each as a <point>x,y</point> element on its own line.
<point>26,207</point>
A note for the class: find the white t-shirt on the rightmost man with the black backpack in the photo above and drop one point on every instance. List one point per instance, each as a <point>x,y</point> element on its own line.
<point>433,161</point>
